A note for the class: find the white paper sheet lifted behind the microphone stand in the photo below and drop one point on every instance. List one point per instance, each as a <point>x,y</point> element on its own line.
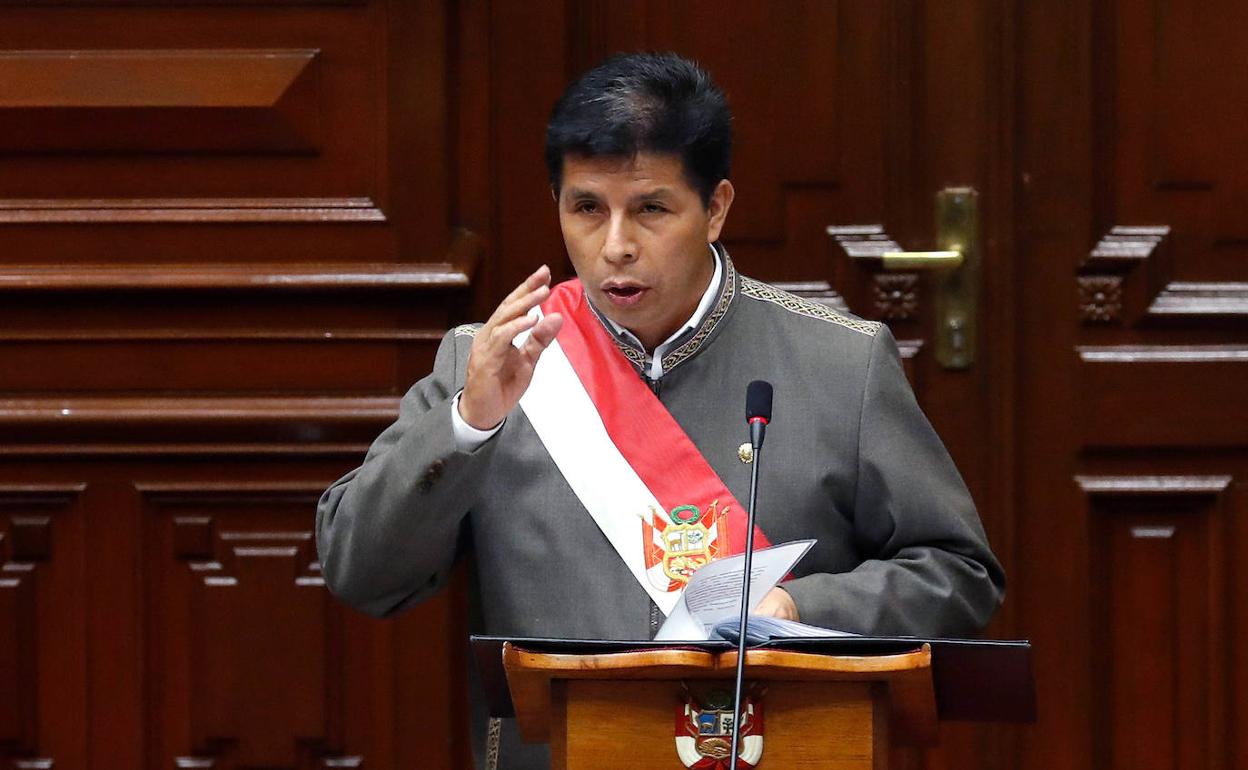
<point>714,593</point>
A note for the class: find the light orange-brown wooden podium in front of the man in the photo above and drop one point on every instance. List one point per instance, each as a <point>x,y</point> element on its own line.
<point>623,709</point>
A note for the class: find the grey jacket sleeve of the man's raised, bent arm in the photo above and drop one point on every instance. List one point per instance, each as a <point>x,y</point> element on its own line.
<point>388,532</point>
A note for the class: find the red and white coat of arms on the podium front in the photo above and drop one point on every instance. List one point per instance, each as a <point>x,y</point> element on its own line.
<point>704,731</point>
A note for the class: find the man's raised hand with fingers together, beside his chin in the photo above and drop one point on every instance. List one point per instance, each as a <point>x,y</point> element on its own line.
<point>500,373</point>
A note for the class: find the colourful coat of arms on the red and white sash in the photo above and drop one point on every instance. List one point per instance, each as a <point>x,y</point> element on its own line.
<point>681,542</point>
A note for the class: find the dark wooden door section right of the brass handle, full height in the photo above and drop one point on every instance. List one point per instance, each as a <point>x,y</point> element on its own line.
<point>1133,263</point>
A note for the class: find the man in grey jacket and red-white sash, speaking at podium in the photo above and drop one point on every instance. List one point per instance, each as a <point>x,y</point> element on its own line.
<point>541,456</point>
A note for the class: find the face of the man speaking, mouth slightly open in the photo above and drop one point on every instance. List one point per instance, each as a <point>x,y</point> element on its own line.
<point>637,234</point>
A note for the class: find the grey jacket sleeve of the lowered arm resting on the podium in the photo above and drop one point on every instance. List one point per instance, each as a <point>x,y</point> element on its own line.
<point>928,570</point>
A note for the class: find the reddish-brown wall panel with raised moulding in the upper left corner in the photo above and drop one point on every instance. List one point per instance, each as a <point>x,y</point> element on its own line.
<point>199,133</point>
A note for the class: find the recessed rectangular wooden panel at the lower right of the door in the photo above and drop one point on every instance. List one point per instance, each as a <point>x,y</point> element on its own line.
<point>1161,601</point>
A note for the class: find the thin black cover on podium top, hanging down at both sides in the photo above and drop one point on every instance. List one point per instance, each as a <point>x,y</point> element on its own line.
<point>975,681</point>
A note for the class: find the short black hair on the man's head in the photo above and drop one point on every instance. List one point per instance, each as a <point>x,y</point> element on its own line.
<point>645,103</point>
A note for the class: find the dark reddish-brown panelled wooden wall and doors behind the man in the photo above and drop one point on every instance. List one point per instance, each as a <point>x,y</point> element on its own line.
<point>233,233</point>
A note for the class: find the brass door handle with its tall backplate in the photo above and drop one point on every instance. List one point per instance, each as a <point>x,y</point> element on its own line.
<point>957,273</point>
